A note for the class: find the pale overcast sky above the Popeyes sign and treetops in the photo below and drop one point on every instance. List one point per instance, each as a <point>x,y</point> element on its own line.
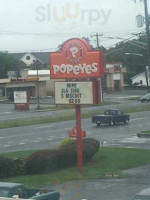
<point>27,25</point>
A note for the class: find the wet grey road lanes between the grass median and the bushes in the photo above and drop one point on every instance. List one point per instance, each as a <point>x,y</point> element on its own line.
<point>49,135</point>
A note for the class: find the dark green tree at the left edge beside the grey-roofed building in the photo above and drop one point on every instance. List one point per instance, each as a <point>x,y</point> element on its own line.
<point>7,63</point>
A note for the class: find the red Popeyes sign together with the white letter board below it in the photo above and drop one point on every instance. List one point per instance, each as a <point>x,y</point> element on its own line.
<point>77,61</point>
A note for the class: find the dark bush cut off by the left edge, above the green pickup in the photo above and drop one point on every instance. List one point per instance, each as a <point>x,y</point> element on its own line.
<point>7,167</point>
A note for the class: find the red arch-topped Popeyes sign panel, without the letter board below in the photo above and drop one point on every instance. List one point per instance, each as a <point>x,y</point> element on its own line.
<point>76,60</point>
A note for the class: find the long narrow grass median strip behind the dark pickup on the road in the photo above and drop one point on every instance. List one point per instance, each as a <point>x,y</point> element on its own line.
<point>60,117</point>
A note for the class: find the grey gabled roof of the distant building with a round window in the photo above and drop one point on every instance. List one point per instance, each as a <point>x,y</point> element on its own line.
<point>43,56</point>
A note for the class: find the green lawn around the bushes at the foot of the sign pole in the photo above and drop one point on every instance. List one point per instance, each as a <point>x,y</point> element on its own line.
<point>107,163</point>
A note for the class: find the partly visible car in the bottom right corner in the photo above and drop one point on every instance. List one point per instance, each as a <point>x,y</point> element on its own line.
<point>142,195</point>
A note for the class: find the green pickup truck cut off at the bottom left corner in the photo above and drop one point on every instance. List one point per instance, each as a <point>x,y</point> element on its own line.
<point>10,190</point>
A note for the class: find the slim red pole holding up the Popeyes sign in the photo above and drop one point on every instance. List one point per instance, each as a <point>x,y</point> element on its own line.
<point>79,138</point>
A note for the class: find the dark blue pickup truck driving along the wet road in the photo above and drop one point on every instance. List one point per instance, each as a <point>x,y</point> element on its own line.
<point>111,117</point>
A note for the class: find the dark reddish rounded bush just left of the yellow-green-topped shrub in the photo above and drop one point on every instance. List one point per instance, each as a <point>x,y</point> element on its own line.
<point>42,161</point>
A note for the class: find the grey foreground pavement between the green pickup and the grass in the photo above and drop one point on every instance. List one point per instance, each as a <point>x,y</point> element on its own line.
<point>106,189</point>
